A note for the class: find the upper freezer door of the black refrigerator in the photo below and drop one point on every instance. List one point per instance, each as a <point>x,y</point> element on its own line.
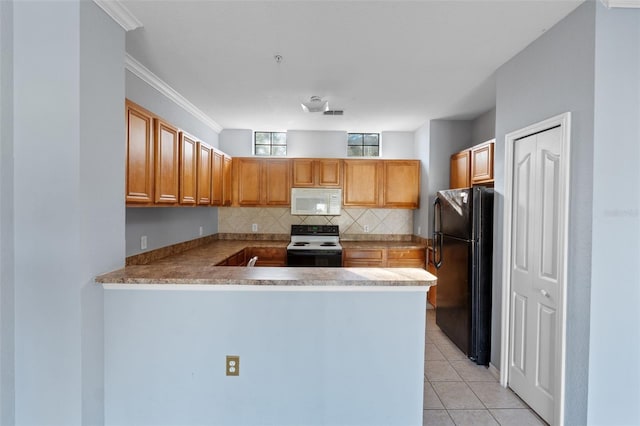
<point>455,214</point>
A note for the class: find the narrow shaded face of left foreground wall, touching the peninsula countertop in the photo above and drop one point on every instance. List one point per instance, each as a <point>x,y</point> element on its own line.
<point>101,205</point>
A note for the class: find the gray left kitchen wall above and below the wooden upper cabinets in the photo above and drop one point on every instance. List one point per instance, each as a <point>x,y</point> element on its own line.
<point>167,225</point>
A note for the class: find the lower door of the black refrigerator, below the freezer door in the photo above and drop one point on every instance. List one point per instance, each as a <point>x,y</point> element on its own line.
<point>453,311</point>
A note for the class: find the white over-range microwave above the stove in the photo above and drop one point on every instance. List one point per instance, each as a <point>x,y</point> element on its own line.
<point>316,201</point>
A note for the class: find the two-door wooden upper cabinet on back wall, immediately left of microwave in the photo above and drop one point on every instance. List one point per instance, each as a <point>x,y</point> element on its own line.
<point>260,182</point>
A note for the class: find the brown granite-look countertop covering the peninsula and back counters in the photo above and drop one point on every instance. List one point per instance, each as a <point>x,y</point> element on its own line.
<point>197,266</point>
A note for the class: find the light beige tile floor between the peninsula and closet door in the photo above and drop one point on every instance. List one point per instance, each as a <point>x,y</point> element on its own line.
<point>459,392</point>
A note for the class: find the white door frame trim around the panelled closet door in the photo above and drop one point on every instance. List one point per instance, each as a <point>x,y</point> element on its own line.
<point>564,121</point>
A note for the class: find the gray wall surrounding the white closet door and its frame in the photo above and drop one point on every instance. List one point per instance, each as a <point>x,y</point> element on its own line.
<point>551,76</point>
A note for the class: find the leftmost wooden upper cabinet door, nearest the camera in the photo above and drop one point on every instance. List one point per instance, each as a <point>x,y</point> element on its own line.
<point>139,175</point>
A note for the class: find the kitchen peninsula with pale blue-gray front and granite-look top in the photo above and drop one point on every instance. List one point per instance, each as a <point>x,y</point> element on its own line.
<point>316,345</point>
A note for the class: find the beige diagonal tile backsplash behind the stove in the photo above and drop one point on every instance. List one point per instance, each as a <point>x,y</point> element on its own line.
<point>278,220</point>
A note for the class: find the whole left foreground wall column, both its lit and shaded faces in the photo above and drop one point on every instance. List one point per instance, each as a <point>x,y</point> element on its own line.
<point>68,204</point>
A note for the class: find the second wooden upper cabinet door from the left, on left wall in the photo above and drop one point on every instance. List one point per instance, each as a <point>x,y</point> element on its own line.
<point>166,163</point>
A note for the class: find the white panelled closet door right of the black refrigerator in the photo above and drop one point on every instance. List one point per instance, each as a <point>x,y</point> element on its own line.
<point>535,278</point>
